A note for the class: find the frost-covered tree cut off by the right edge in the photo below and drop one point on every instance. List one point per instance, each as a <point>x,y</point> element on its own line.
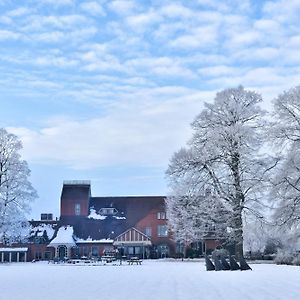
<point>285,132</point>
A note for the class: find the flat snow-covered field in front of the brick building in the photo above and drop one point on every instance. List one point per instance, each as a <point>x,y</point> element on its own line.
<point>160,280</point>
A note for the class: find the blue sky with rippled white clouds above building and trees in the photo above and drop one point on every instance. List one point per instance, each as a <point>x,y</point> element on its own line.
<point>106,90</point>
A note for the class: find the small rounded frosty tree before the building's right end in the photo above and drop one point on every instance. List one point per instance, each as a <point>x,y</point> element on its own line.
<point>187,222</point>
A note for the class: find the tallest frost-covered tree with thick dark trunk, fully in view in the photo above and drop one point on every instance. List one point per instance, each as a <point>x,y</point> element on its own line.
<point>224,156</point>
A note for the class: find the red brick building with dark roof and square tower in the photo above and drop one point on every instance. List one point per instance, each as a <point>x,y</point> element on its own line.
<point>89,226</point>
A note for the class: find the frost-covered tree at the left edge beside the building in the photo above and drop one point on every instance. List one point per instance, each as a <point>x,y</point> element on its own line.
<point>16,192</point>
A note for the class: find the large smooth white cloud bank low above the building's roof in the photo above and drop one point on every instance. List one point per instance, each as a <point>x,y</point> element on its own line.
<point>139,132</point>
